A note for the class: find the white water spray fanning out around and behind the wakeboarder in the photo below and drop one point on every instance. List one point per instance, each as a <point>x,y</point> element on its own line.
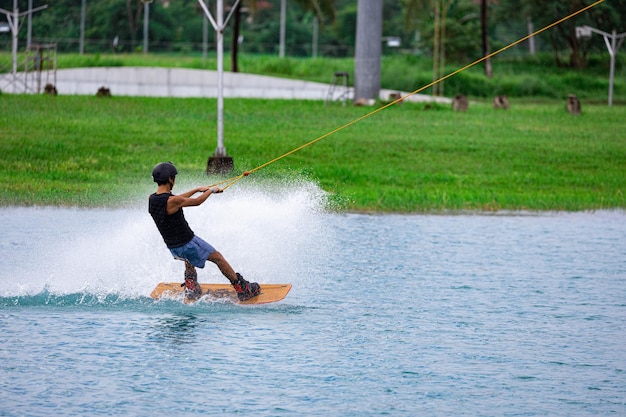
<point>267,232</point>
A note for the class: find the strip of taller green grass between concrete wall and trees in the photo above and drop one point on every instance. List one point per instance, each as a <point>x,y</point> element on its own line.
<point>535,77</point>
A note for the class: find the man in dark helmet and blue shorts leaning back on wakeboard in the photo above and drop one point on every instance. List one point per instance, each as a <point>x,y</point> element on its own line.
<point>167,211</point>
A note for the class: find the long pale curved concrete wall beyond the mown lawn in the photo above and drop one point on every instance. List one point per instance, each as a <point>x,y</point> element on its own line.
<point>182,82</point>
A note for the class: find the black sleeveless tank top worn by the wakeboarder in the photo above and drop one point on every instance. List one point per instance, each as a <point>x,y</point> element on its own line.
<point>173,227</point>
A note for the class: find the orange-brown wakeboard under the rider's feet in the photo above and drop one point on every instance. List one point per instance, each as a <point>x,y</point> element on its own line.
<point>270,293</point>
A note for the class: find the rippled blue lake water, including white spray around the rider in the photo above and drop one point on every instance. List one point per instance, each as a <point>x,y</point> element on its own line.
<point>480,315</point>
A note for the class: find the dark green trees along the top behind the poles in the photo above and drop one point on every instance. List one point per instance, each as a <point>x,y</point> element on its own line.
<point>325,27</point>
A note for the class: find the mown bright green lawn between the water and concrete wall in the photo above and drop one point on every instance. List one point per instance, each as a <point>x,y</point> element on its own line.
<point>87,151</point>
